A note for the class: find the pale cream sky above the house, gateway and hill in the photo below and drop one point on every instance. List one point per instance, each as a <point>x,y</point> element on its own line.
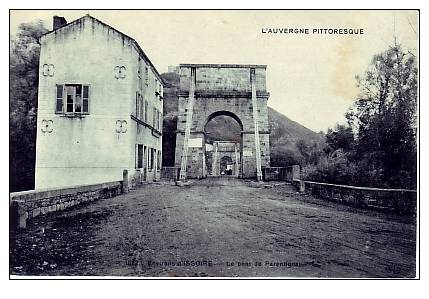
<point>310,77</point>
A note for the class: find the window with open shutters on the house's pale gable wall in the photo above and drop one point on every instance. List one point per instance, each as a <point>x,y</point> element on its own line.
<point>72,98</point>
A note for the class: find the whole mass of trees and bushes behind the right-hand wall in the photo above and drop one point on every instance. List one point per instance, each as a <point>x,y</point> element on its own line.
<point>378,147</point>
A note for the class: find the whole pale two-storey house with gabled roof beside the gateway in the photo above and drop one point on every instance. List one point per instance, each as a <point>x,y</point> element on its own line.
<point>100,107</point>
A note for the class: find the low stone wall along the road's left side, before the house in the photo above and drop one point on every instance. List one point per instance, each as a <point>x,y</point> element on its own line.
<point>29,204</point>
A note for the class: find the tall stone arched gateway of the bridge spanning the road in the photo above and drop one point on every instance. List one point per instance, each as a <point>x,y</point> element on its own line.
<point>210,90</point>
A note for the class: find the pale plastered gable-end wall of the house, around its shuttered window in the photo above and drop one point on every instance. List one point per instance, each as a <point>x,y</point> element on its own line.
<point>92,148</point>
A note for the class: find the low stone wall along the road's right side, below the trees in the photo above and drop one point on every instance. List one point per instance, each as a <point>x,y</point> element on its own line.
<point>401,201</point>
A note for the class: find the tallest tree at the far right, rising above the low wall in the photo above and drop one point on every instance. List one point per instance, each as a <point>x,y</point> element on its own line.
<point>385,119</point>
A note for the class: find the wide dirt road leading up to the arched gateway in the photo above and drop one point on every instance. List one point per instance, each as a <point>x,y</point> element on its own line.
<point>215,228</point>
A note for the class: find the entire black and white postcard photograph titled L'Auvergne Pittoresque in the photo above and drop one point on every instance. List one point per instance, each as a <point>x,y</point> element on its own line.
<point>214,144</point>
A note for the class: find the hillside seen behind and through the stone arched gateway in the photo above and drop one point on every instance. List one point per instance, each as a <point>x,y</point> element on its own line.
<point>284,136</point>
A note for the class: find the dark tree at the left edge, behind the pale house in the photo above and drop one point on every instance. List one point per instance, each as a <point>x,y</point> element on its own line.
<point>24,66</point>
